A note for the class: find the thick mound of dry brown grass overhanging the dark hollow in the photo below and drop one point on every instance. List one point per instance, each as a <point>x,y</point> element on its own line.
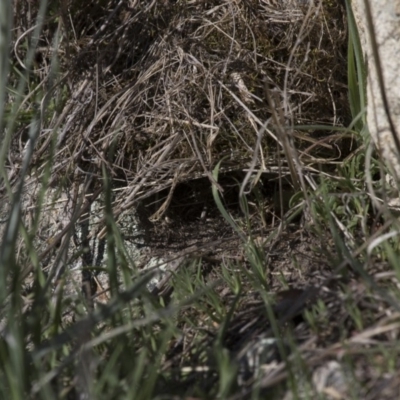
<point>159,92</point>
